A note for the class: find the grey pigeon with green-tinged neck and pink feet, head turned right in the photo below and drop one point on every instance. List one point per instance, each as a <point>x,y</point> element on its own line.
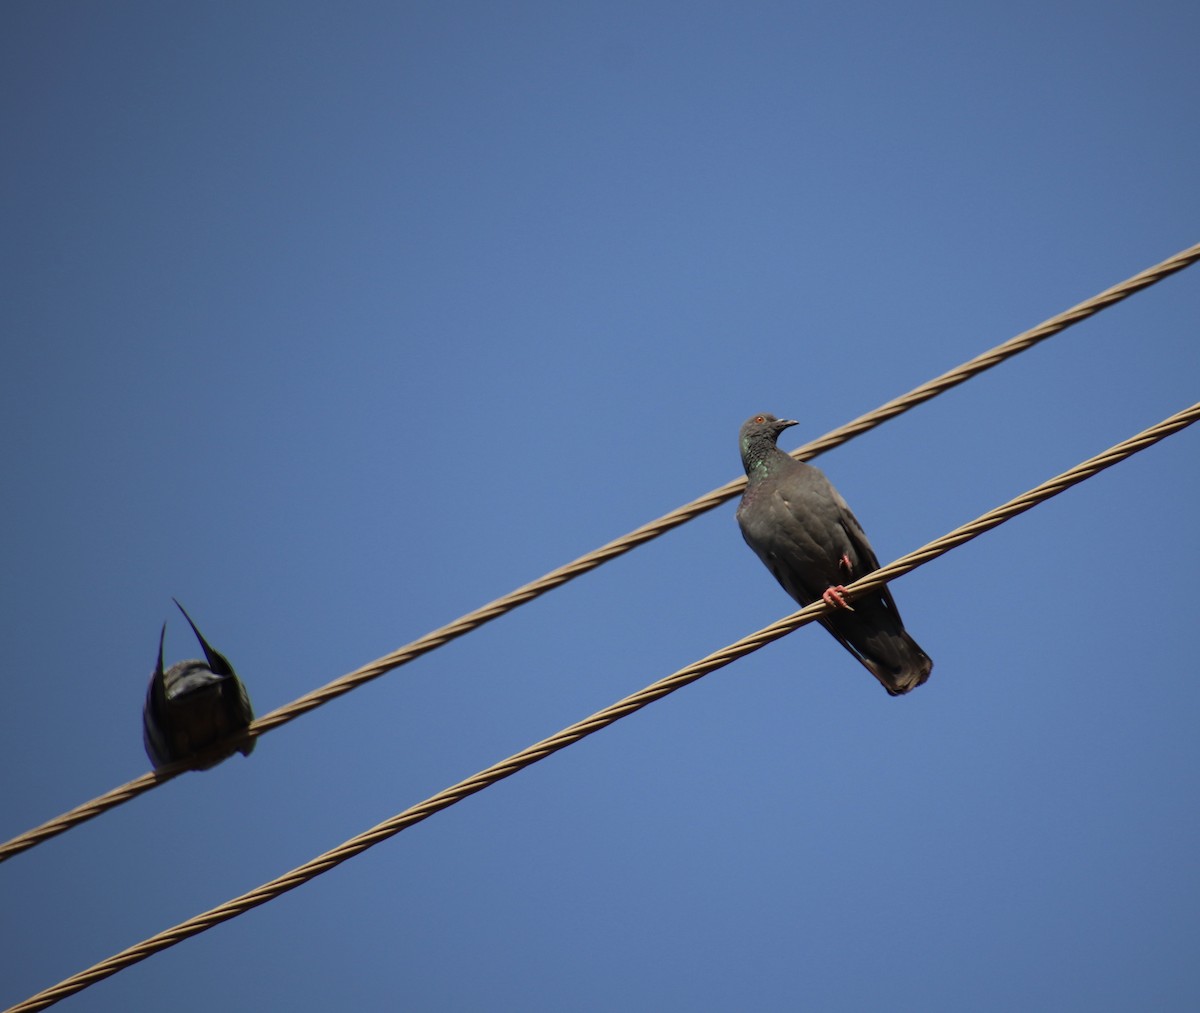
<point>803,531</point>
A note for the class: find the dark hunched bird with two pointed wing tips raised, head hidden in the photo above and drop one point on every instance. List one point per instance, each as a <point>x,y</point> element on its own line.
<point>195,706</point>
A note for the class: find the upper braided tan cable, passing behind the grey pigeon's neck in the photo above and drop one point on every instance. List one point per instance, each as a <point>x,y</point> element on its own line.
<point>620,547</point>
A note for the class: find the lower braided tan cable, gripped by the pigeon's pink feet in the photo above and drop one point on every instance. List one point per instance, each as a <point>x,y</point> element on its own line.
<point>541,751</point>
